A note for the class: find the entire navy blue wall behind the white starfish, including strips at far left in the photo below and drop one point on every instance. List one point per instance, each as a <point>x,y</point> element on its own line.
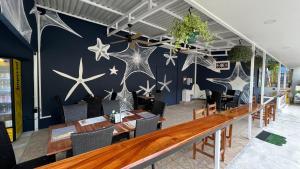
<point>62,50</point>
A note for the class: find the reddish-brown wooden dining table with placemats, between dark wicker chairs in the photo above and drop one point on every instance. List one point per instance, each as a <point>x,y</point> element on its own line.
<point>63,145</point>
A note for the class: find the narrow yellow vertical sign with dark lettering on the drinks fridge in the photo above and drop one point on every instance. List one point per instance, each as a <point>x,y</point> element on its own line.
<point>17,97</point>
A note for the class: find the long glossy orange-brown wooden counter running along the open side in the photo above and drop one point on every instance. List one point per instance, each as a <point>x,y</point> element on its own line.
<point>139,151</point>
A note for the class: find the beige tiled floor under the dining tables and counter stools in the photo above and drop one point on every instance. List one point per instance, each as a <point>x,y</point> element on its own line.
<point>34,144</point>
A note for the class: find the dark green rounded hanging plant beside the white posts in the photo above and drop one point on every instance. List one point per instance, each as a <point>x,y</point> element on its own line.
<point>240,53</point>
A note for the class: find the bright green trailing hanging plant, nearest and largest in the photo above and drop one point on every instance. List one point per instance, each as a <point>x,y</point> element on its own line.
<point>189,30</point>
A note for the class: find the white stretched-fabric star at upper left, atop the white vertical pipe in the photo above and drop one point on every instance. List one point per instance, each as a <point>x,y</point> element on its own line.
<point>51,18</point>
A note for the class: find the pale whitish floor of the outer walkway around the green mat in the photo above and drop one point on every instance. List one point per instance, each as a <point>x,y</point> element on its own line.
<point>262,155</point>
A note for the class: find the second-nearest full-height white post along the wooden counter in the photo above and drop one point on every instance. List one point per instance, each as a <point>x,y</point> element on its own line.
<point>262,89</point>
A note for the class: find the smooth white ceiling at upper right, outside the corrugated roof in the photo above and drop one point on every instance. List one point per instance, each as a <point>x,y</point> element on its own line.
<point>281,39</point>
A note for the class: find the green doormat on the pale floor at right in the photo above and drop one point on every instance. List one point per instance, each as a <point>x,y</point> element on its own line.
<point>271,138</point>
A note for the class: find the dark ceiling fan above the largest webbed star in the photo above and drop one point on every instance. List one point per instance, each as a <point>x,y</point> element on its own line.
<point>131,38</point>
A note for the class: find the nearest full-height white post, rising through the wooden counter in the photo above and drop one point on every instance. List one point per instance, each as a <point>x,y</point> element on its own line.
<point>251,90</point>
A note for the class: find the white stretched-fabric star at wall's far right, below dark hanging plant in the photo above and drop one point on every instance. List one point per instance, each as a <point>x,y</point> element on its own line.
<point>238,80</point>
